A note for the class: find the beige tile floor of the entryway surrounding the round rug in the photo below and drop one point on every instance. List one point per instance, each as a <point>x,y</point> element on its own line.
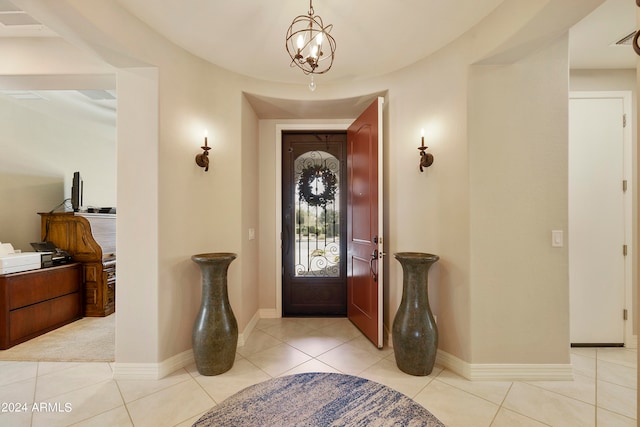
<point>84,394</point>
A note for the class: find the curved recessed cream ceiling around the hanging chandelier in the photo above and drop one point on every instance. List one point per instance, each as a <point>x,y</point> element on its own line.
<point>373,37</point>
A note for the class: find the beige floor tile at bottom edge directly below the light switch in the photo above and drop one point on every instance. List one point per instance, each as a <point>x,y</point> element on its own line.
<point>549,407</point>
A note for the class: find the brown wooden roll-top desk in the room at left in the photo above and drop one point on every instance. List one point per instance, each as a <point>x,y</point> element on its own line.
<point>91,240</point>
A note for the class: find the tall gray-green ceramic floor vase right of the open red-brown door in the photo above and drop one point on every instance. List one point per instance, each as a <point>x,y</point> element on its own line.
<point>414,332</point>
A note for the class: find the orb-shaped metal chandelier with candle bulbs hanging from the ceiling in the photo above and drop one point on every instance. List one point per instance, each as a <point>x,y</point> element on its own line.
<point>309,44</point>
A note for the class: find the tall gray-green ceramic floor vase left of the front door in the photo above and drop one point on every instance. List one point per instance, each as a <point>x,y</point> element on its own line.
<point>215,332</point>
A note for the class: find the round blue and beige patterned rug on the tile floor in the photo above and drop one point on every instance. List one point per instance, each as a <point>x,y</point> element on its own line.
<point>318,399</point>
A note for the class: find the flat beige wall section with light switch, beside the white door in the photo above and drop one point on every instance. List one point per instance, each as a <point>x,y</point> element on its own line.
<point>518,175</point>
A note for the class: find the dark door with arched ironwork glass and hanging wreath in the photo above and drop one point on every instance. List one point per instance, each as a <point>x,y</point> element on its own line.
<point>313,224</point>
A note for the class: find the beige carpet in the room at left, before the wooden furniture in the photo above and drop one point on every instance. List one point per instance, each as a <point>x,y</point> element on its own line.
<point>90,339</point>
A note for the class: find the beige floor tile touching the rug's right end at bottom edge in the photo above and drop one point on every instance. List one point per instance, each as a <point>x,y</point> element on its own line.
<point>455,407</point>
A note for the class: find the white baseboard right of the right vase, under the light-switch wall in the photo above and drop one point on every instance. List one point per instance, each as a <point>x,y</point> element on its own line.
<point>506,371</point>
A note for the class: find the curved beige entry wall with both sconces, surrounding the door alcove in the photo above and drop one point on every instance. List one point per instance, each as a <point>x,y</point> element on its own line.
<point>168,97</point>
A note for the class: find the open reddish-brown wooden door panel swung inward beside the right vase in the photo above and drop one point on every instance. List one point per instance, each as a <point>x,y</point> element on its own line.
<point>364,219</point>
